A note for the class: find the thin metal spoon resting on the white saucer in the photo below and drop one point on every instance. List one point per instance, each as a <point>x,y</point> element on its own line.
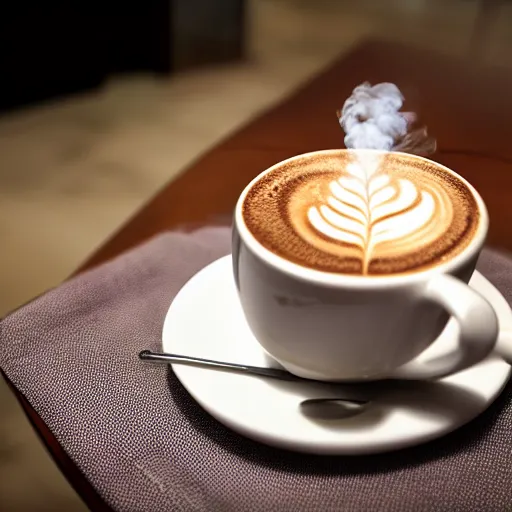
<point>274,373</point>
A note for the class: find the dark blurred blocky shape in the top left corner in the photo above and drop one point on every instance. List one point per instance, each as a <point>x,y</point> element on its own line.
<point>51,49</point>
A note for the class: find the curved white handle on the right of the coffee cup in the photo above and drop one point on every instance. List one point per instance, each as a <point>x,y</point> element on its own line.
<point>478,325</point>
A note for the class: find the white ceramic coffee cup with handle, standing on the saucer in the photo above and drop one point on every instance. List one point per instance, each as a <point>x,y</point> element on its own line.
<point>336,327</point>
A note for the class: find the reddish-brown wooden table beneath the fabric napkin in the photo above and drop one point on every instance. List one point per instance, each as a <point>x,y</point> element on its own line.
<point>466,107</point>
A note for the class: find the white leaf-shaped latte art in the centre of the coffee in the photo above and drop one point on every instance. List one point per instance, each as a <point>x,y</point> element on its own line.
<point>377,215</point>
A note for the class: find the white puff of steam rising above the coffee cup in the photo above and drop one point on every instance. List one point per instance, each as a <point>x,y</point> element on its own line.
<point>371,119</point>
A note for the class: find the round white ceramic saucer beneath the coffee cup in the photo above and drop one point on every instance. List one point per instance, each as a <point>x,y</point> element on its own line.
<point>206,320</point>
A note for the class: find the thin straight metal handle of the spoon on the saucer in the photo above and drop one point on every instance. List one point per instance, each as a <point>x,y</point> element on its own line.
<point>275,373</point>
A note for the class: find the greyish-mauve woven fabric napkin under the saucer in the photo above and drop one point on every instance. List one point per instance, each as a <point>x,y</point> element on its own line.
<point>144,443</point>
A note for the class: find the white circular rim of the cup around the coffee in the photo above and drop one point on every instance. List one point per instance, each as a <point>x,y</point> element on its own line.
<point>336,280</point>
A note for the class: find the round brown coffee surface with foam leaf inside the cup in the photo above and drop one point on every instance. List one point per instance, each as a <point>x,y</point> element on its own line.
<point>365,213</point>
